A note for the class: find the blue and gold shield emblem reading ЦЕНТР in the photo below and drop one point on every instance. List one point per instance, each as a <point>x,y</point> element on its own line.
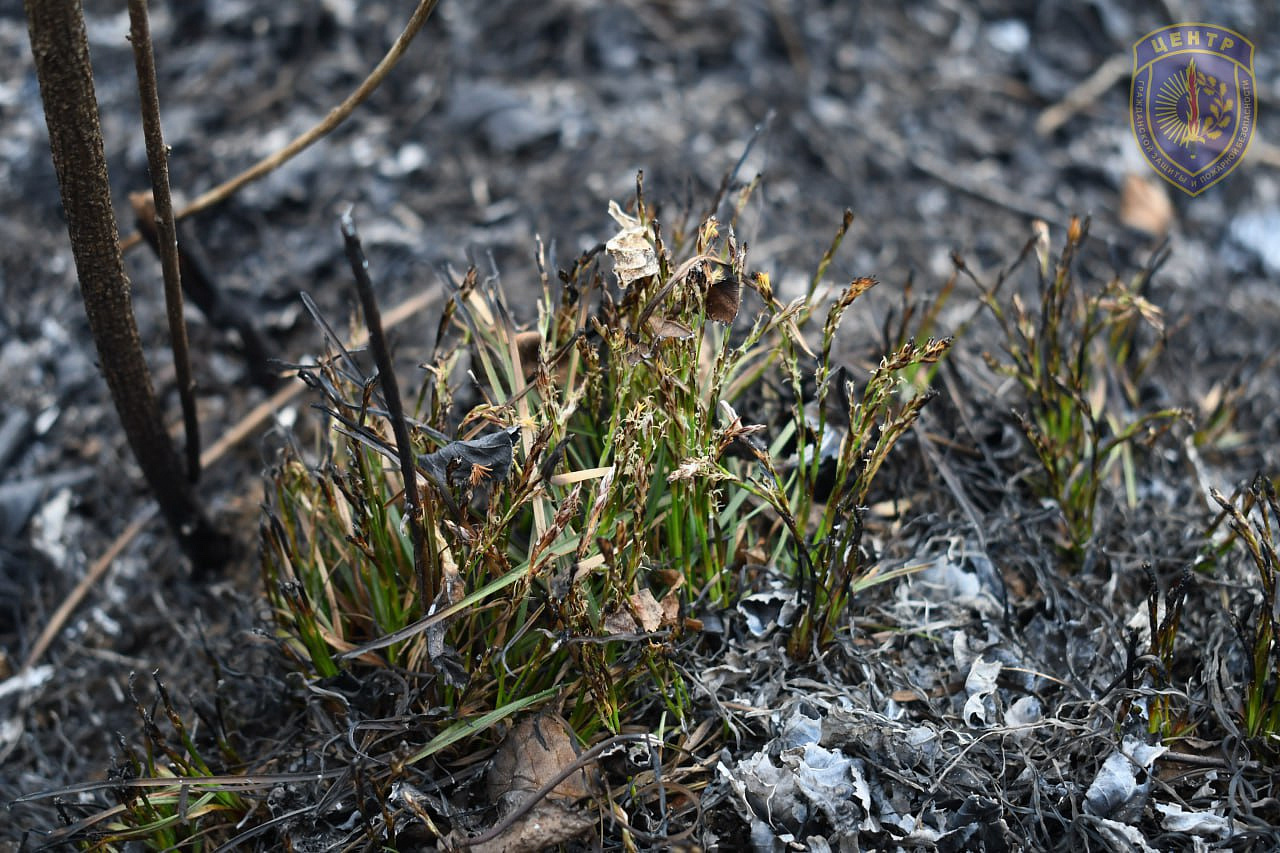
<point>1194,103</point>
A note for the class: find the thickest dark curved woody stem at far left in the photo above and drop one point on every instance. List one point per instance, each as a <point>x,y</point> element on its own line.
<point>61,49</point>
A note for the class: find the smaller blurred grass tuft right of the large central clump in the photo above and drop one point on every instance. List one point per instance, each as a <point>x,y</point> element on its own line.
<point>1077,361</point>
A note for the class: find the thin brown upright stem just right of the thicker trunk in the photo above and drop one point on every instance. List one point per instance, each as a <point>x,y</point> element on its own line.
<point>158,163</point>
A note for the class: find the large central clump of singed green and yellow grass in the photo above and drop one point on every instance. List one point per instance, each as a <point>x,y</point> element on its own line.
<point>660,444</point>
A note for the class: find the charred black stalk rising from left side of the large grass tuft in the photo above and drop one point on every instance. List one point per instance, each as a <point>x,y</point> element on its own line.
<point>395,409</point>
